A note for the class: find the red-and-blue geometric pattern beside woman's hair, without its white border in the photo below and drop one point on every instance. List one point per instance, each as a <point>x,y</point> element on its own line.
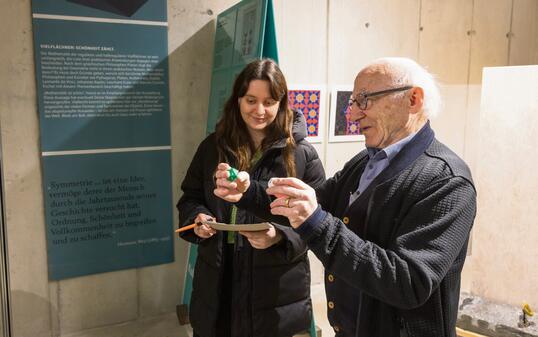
<point>308,103</point>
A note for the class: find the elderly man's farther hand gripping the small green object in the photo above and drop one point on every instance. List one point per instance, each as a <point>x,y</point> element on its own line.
<point>231,191</point>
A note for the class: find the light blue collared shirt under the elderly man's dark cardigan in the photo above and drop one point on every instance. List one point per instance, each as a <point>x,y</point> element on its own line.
<point>378,160</point>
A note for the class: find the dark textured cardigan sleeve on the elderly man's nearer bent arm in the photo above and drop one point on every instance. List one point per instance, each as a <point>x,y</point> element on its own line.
<point>406,273</point>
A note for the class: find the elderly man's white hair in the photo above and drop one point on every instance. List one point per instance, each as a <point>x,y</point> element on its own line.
<point>405,71</point>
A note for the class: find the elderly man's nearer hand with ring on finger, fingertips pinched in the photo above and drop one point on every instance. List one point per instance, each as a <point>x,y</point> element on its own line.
<point>295,199</point>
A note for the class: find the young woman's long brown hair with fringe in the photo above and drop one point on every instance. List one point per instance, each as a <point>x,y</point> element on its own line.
<point>231,131</point>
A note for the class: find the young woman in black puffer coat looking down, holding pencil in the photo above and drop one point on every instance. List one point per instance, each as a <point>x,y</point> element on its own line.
<point>250,284</point>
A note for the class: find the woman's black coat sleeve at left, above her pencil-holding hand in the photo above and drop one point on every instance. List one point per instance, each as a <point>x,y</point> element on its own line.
<point>192,201</point>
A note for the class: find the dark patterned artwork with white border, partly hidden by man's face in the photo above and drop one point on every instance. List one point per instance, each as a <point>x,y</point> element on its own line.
<point>341,128</point>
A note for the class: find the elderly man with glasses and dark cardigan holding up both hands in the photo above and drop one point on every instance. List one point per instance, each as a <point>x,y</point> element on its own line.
<point>392,227</point>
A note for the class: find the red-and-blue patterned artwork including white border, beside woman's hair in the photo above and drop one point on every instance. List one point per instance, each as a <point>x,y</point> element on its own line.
<point>310,101</point>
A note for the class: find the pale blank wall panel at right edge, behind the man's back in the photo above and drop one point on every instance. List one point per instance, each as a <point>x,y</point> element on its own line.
<point>505,253</point>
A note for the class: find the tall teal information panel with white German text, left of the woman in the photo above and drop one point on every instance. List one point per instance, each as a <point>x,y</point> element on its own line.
<point>102,84</point>
